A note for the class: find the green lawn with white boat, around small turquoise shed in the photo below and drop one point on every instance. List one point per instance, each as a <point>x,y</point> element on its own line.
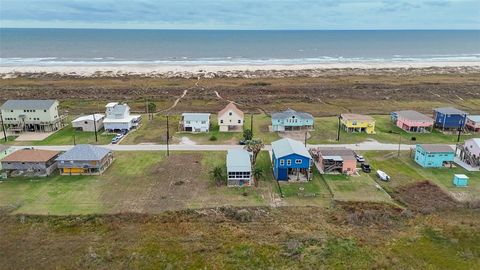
<point>405,170</point>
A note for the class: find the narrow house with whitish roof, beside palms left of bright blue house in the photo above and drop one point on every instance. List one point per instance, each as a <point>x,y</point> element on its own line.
<point>239,168</point>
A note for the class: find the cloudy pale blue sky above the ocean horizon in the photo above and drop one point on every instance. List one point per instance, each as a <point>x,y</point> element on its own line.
<point>242,14</point>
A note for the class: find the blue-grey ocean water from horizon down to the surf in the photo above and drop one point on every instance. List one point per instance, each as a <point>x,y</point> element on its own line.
<point>193,47</point>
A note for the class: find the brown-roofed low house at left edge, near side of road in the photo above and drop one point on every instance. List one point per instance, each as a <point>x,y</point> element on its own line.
<point>32,162</point>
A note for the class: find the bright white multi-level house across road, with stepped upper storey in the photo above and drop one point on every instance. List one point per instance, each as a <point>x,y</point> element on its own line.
<point>118,117</point>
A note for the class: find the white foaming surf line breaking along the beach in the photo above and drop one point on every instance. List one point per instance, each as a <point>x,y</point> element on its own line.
<point>231,60</point>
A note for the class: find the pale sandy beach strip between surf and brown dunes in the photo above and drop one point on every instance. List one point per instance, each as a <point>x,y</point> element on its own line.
<point>243,71</point>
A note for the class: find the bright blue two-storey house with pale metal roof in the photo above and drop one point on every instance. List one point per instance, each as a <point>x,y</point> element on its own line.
<point>291,160</point>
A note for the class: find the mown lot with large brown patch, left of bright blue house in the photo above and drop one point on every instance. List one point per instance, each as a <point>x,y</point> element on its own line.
<point>143,182</point>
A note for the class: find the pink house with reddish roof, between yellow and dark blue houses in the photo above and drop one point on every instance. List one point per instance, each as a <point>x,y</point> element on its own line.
<point>412,121</point>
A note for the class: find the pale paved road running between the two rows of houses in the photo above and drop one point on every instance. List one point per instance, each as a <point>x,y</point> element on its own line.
<point>223,147</point>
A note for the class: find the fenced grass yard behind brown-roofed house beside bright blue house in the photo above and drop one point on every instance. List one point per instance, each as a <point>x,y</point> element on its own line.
<point>356,188</point>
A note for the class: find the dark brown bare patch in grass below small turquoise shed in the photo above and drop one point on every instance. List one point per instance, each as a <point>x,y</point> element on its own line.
<point>425,197</point>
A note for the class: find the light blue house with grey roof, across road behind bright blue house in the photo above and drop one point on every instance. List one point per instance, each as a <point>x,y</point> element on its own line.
<point>290,120</point>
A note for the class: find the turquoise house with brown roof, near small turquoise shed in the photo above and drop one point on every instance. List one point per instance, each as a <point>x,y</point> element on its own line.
<point>433,155</point>
